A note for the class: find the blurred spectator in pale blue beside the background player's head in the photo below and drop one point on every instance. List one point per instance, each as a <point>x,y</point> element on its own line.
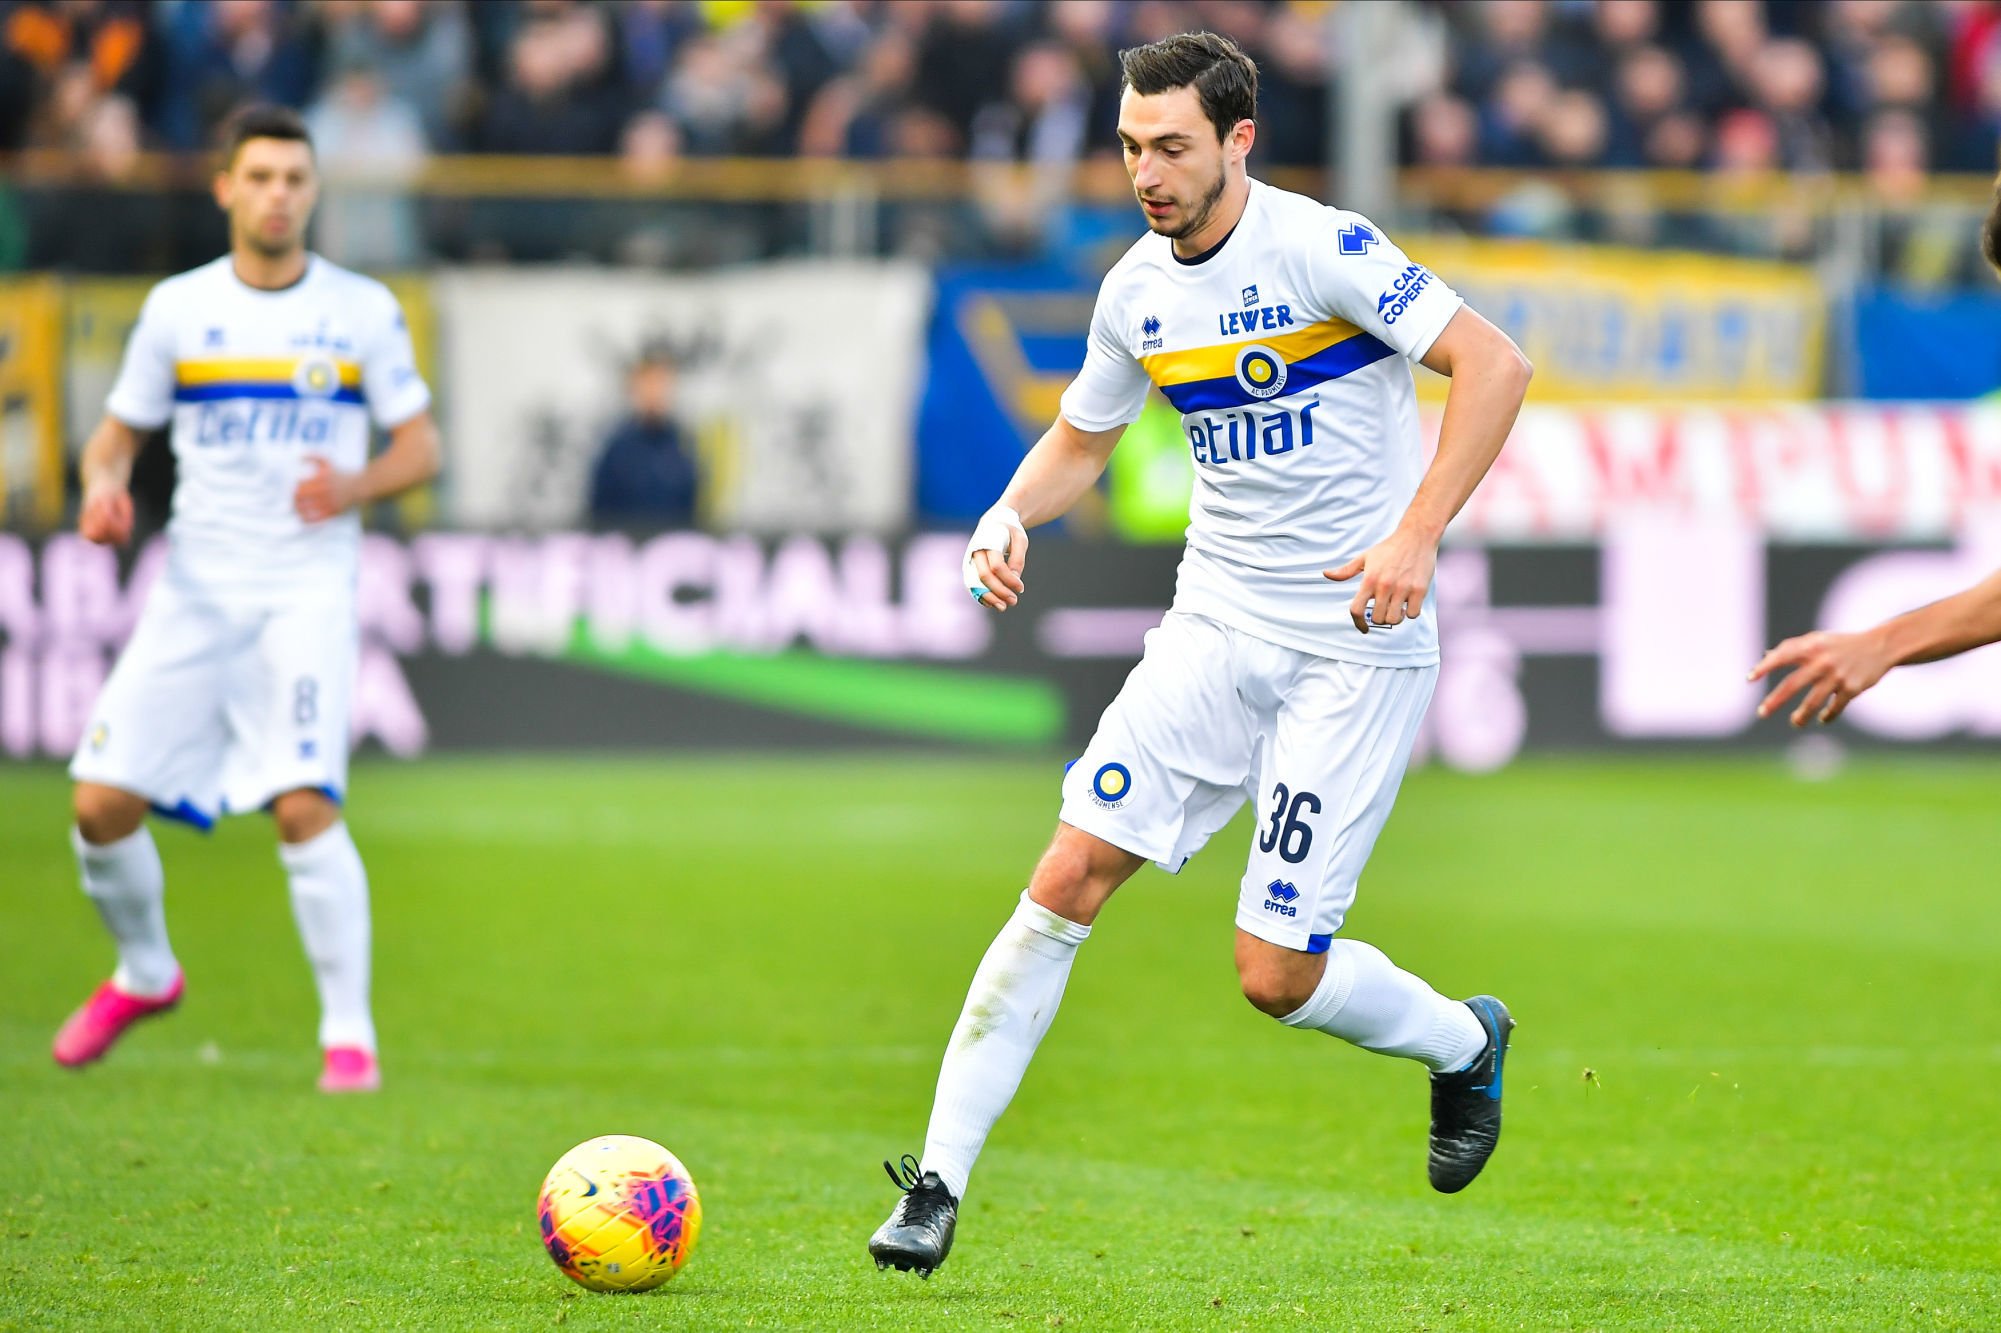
<point>371,149</point>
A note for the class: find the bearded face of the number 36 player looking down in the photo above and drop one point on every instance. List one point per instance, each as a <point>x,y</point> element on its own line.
<point>1178,165</point>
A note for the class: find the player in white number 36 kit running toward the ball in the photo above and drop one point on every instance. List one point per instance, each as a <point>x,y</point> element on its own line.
<point>1294,665</point>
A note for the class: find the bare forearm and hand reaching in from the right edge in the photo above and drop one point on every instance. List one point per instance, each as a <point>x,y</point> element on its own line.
<point>1834,670</point>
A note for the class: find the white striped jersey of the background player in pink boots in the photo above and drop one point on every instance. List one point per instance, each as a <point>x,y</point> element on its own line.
<point>255,383</point>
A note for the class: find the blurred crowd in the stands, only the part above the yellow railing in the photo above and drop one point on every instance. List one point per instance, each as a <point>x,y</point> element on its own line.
<point>1796,85</point>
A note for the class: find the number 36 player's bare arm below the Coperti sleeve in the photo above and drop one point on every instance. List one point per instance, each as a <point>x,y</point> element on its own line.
<point>1490,383</point>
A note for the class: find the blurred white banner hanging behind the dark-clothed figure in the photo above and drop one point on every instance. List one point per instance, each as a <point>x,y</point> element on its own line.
<point>797,389</point>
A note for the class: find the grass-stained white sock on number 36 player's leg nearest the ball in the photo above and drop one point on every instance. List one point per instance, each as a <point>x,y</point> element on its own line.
<point>1010,1008</point>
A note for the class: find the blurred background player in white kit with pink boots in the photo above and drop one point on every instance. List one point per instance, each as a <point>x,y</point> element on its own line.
<point>269,367</point>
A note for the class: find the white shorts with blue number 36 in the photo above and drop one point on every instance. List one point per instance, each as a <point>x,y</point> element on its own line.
<point>1214,718</point>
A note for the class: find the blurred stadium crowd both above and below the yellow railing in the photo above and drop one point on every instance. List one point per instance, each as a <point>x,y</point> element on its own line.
<point>1890,89</point>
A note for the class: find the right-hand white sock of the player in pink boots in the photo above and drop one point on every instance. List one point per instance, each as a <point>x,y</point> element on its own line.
<point>331,904</point>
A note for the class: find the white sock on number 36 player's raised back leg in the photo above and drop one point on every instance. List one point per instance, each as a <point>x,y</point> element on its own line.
<point>1368,1000</point>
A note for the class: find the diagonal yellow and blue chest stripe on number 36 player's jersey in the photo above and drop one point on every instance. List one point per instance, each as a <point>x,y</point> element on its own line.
<point>1232,375</point>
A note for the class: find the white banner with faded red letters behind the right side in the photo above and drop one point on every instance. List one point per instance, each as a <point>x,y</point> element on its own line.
<point>1794,473</point>
